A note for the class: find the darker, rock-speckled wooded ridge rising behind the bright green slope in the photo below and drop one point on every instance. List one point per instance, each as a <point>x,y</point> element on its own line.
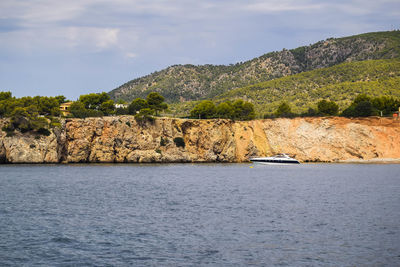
<point>189,82</point>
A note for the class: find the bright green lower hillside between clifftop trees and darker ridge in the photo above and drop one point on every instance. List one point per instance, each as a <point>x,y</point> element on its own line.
<point>340,83</point>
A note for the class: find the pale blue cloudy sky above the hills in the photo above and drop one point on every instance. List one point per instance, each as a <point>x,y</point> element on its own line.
<point>74,47</point>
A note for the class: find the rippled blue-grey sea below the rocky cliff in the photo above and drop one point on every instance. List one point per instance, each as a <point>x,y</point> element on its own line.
<point>200,215</point>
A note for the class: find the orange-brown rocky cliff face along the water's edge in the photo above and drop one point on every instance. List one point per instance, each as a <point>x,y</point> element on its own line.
<point>122,139</point>
